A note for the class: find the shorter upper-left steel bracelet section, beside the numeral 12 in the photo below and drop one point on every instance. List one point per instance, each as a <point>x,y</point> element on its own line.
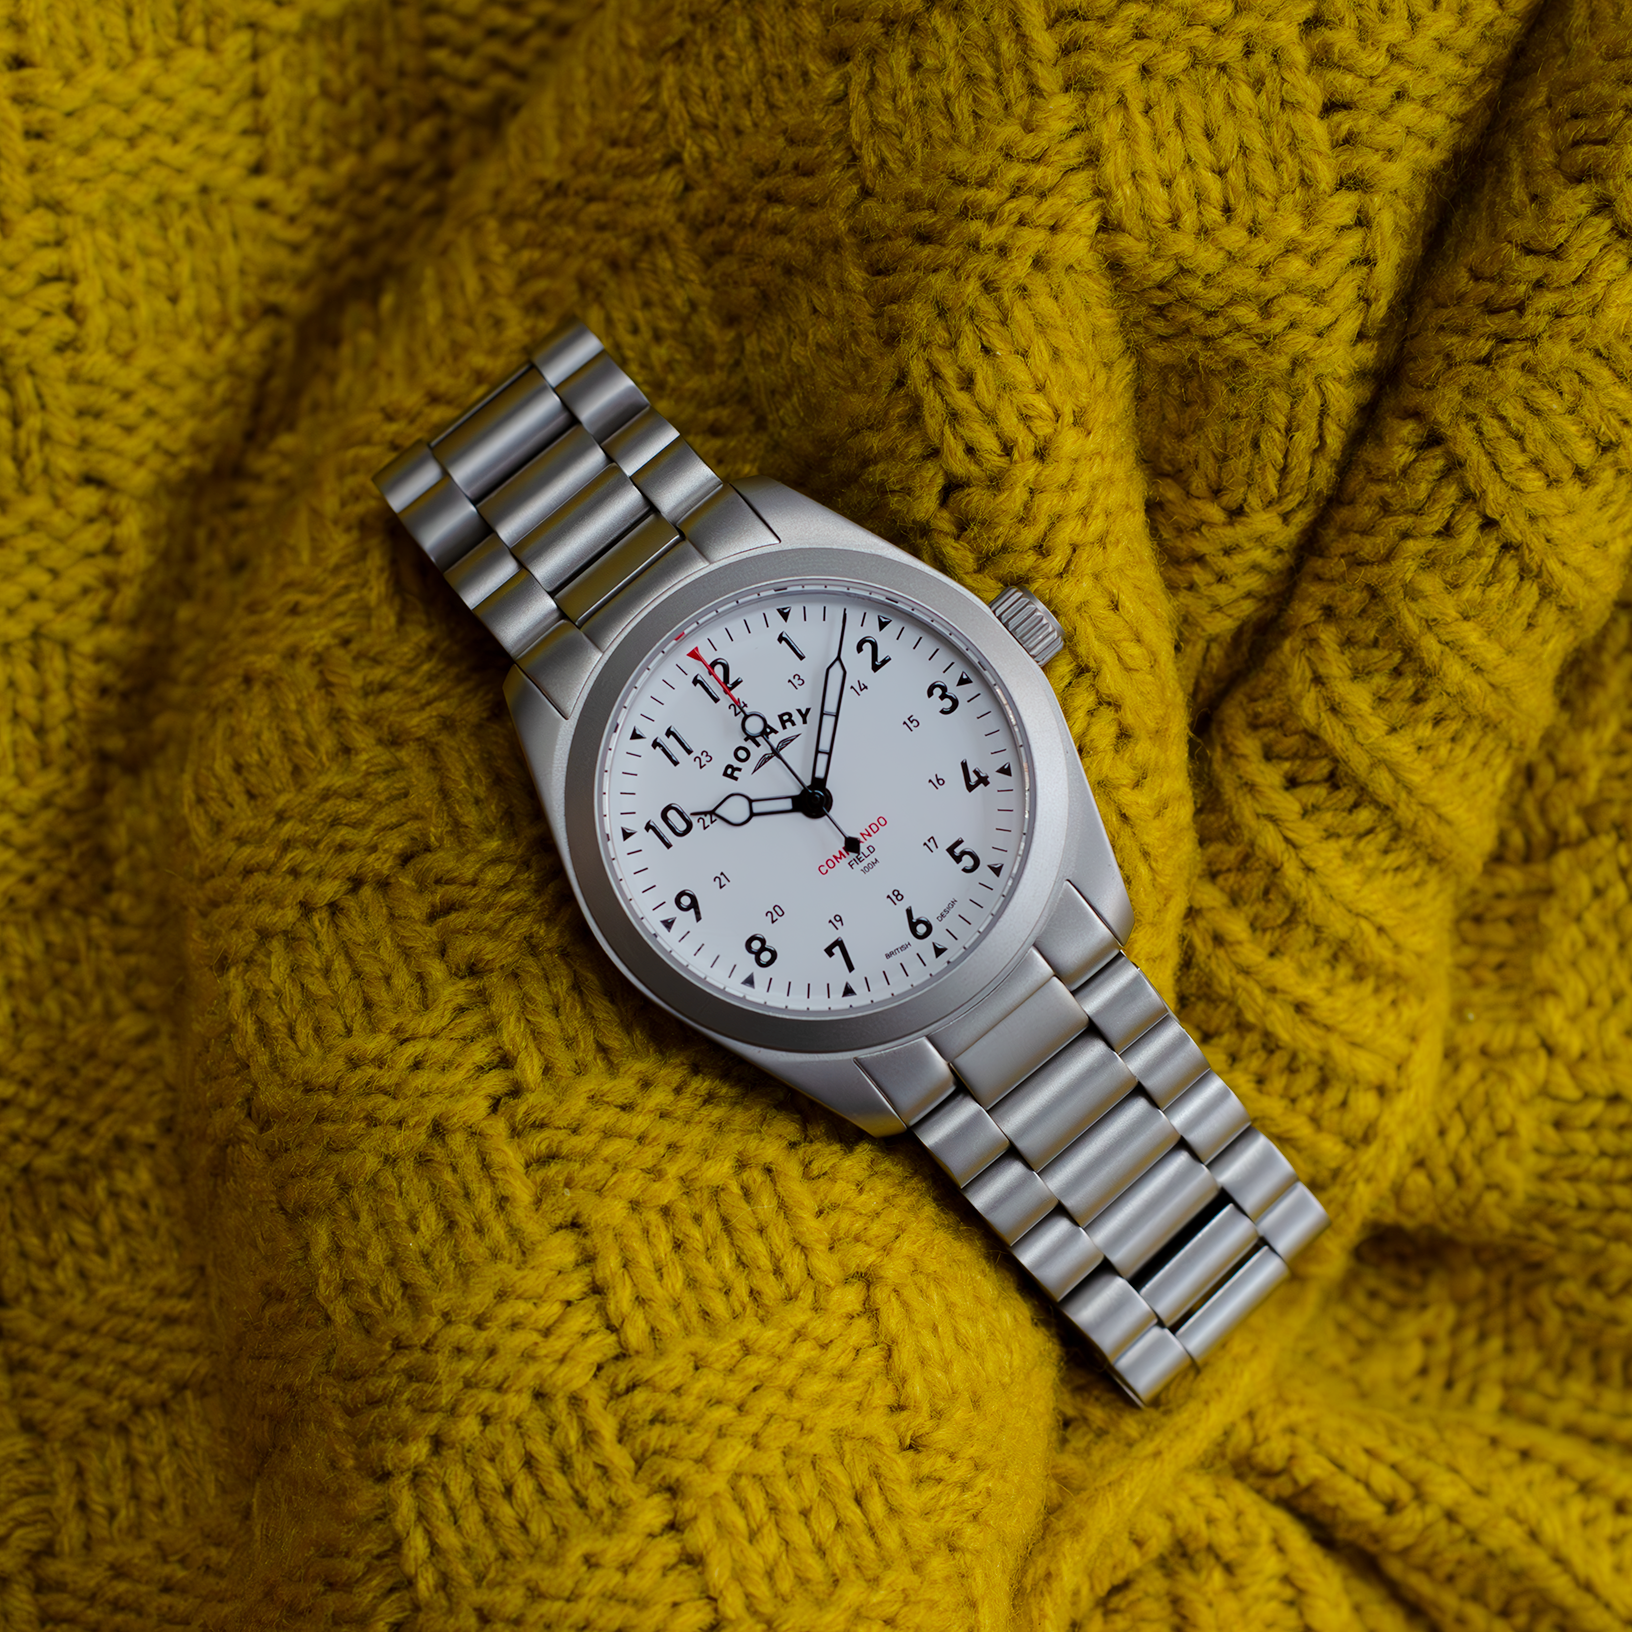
<point>561,507</point>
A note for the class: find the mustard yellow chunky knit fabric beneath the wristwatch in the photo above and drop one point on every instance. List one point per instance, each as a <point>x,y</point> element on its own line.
<point>373,1254</point>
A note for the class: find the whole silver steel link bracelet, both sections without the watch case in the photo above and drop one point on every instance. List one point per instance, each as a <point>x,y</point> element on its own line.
<point>1070,1107</point>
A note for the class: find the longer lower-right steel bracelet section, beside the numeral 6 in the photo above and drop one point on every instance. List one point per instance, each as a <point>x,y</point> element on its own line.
<point>1084,1125</point>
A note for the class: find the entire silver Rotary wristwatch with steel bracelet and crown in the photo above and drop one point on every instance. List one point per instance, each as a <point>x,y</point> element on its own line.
<point>820,802</point>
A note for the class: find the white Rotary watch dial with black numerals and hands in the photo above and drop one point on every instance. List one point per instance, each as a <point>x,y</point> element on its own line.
<point>815,797</point>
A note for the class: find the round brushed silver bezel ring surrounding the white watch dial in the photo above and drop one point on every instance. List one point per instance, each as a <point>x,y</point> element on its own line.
<point>1052,755</point>
